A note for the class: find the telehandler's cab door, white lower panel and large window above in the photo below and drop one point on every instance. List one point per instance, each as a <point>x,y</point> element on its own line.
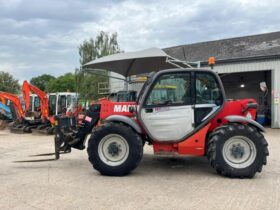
<point>167,112</point>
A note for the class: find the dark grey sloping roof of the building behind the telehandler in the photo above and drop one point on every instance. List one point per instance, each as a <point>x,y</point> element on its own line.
<point>234,48</point>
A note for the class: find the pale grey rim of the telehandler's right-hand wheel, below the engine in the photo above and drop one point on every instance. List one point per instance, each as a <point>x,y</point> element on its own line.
<point>239,152</point>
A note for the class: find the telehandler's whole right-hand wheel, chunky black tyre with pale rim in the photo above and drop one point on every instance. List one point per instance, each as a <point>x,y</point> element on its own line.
<point>237,150</point>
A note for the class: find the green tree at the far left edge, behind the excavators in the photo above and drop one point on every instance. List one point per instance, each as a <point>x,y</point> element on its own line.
<point>8,83</point>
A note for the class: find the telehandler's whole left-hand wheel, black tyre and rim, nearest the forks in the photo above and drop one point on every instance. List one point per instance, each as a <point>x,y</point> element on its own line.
<point>115,149</point>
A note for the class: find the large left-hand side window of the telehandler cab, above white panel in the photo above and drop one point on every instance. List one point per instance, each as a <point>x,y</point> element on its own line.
<point>170,89</point>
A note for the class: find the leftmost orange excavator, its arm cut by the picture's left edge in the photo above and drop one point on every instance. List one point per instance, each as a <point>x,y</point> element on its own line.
<point>20,124</point>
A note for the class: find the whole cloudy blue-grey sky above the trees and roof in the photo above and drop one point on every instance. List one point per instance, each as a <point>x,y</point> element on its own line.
<point>42,36</point>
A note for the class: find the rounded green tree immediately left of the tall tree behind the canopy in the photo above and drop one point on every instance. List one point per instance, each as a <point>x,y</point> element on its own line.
<point>64,83</point>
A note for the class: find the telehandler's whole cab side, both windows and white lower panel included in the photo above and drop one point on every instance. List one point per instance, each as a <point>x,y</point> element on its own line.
<point>180,103</point>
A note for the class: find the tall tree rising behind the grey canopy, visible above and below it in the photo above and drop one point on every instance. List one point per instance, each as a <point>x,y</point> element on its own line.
<point>104,44</point>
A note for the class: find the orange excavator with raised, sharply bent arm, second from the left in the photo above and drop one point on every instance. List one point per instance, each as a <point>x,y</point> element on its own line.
<point>47,121</point>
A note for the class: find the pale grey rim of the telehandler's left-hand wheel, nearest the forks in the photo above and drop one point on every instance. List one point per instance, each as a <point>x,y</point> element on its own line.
<point>113,149</point>
